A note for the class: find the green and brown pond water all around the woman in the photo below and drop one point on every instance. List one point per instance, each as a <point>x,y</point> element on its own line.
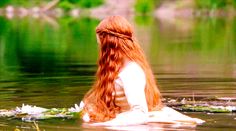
<point>51,63</point>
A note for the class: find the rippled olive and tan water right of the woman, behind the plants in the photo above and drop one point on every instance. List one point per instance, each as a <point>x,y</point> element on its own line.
<point>199,60</point>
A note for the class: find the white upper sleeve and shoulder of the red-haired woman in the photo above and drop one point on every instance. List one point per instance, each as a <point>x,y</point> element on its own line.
<point>132,79</point>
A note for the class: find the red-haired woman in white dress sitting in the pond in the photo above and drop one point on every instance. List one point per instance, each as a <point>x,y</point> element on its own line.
<point>125,92</point>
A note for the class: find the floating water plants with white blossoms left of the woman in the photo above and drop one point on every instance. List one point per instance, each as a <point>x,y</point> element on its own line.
<point>30,113</point>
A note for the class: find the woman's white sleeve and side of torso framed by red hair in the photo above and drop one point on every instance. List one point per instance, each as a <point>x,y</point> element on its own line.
<point>130,88</point>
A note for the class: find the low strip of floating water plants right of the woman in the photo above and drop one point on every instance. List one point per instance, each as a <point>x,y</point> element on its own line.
<point>212,105</point>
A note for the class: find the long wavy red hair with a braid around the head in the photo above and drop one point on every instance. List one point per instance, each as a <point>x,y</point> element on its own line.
<point>117,44</point>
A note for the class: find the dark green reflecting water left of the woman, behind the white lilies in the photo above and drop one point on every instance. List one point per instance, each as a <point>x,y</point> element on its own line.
<point>40,62</point>
